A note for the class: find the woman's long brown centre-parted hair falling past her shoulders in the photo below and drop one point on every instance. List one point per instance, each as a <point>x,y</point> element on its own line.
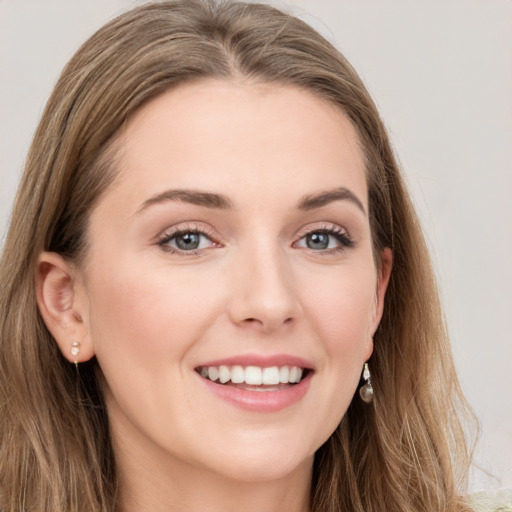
<point>405,452</point>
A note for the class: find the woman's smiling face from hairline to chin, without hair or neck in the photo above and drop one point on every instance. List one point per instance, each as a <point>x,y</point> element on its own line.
<point>235,246</point>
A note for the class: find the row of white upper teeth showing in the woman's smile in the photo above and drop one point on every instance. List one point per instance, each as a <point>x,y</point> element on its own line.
<point>253,375</point>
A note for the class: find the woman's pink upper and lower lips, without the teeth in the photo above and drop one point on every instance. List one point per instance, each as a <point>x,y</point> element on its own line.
<point>260,401</point>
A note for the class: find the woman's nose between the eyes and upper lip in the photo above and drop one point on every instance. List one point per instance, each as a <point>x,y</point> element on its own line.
<point>264,296</point>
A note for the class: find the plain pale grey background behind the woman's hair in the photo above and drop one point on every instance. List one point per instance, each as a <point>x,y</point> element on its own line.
<point>441,75</point>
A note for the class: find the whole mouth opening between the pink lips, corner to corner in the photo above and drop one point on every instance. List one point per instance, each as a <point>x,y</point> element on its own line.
<point>254,378</point>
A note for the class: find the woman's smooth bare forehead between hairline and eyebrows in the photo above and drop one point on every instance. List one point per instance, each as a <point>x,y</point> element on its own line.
<point>219,134</point>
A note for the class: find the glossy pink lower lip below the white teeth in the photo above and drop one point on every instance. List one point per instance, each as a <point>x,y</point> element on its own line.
<point>260,401</point>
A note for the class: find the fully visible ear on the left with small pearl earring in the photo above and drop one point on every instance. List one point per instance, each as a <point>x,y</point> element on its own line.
<point>62,306</point>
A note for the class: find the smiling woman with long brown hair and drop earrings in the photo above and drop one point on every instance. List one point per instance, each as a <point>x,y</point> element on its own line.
<point>211,251</point>
